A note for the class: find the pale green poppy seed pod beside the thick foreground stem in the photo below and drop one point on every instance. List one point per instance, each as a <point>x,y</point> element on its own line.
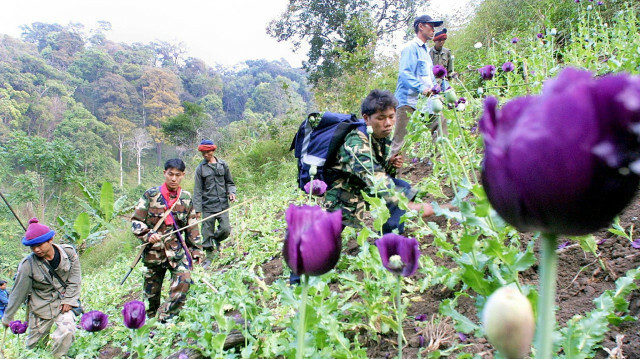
<point>508,322</point>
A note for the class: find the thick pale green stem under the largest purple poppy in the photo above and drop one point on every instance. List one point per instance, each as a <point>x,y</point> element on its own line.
<point>546,301</point>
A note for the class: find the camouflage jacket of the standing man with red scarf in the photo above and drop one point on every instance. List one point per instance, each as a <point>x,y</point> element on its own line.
<point>148,211</point>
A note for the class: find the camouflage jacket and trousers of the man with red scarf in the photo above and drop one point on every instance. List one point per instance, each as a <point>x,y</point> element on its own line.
<point>168,254</point>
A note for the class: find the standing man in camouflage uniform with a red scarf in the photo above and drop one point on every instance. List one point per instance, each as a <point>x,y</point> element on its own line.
<point>176,253</point>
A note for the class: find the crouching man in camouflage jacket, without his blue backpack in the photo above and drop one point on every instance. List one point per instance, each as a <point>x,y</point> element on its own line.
<point>355,168</point>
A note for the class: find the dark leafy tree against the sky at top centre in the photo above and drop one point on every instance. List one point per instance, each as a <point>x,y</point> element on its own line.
<point>324,26</point>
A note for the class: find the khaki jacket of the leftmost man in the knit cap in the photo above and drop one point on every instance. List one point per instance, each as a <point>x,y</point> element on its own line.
<point>47,294</point>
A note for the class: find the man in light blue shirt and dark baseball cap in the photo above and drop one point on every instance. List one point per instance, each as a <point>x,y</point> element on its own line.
<point>415,76</point>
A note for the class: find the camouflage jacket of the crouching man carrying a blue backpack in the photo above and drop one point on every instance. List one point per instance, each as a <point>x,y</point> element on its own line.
<point>351,169</point>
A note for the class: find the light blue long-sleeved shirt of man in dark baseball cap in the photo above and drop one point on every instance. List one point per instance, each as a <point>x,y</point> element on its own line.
<point>415,73</point>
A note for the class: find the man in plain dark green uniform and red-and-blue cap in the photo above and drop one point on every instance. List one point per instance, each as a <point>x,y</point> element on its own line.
<point>213,190</point>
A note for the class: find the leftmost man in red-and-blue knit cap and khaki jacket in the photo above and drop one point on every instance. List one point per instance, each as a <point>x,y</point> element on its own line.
<point>50,277</point>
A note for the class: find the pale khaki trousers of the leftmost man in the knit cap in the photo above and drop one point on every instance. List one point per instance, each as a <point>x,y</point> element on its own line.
<point>62,336</point>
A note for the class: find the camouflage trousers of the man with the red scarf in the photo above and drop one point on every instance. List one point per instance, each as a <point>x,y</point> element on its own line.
<point>180,283</point>
